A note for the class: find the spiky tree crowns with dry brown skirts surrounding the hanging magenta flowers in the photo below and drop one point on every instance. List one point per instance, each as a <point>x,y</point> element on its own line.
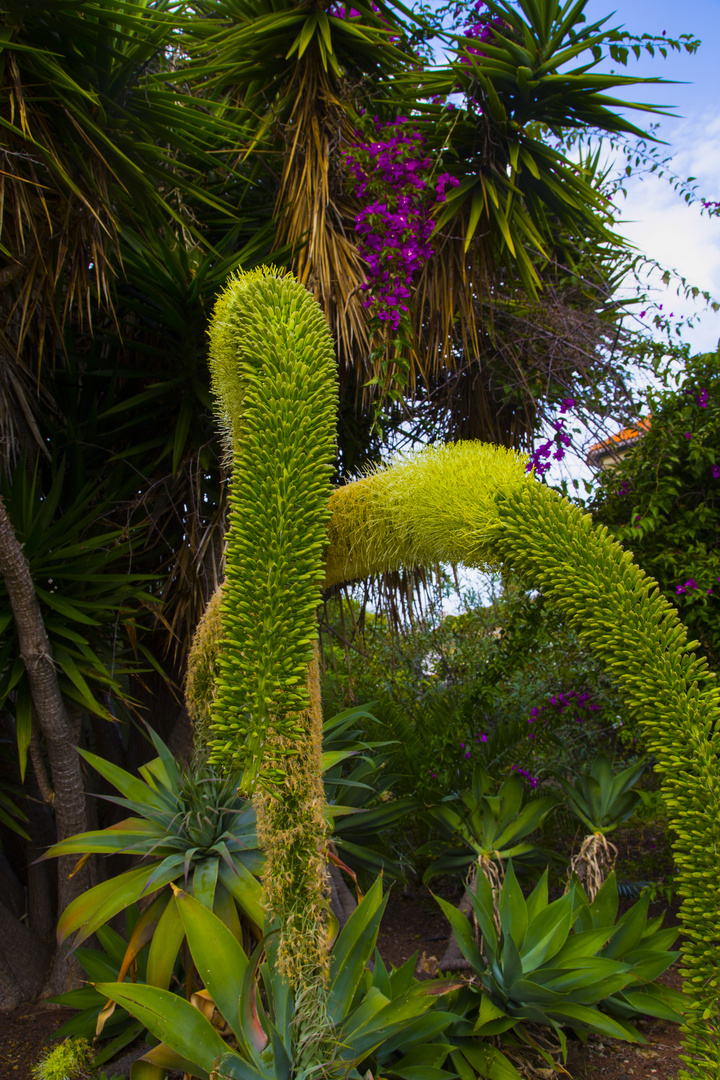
<point>524,224</point>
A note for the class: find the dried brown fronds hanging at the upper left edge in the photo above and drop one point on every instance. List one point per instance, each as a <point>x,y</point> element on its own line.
<point>57,220</point>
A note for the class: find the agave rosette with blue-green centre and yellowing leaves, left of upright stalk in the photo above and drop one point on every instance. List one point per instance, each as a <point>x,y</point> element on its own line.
<point>186,827</point>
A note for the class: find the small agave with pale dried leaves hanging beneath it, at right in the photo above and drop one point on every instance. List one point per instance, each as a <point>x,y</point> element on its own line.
<point>602,801</point>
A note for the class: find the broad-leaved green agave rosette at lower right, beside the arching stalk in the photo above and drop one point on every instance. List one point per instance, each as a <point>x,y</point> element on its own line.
<point>563,965</point>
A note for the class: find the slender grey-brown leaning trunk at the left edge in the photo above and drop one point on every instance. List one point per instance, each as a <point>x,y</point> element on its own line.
<point>56,724</point>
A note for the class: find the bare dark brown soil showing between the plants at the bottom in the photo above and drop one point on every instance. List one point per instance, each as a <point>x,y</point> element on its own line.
<point>414,925</point>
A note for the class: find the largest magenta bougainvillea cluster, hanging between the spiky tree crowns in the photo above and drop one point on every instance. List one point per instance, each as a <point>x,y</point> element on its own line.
<point>393,174</point>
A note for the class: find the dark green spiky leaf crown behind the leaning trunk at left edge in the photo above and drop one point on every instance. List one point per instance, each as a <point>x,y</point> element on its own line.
<point>90,603</point>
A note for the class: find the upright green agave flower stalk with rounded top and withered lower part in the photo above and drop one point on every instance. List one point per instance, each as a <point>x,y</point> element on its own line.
<point>275,380</point>
